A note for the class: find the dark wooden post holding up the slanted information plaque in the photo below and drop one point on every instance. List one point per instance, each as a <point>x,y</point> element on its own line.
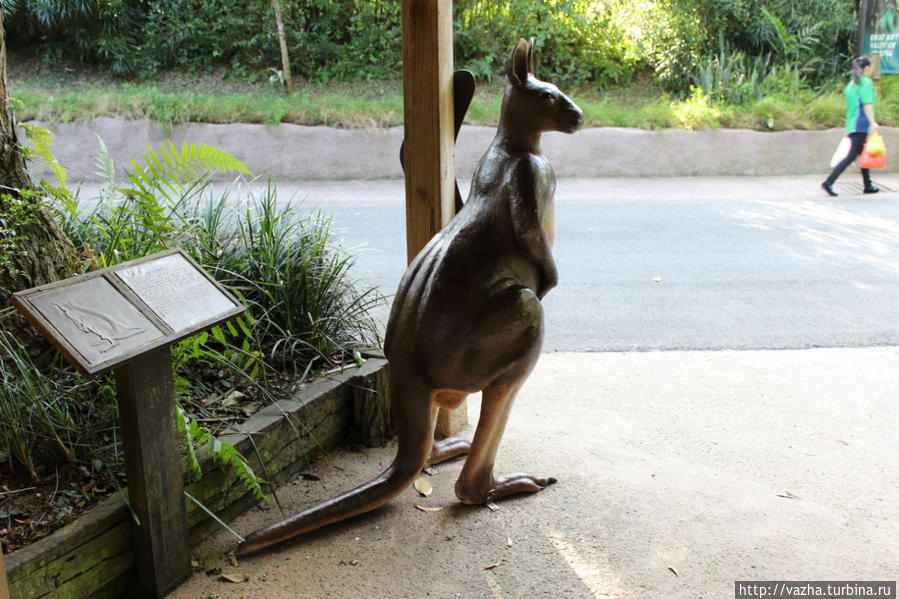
<point>145,389</point>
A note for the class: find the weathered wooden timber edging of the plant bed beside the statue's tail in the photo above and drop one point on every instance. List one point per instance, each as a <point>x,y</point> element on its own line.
<point>92,557</point>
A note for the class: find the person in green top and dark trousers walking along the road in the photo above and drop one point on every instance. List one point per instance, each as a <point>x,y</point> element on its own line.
<point>860,121</point>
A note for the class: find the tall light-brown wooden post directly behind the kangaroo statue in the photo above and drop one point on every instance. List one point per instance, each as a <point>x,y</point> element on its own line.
<point>428,123</point>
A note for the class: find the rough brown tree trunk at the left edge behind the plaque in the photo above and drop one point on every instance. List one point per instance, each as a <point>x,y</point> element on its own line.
<point>43,252</point>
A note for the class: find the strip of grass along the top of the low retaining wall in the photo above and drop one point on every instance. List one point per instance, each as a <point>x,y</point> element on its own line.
<point>739,95</point>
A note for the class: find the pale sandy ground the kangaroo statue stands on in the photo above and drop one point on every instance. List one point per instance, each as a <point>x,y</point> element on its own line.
<point>679,473</point>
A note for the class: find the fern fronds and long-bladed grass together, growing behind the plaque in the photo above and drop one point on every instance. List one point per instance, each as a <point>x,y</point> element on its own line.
<point>303,302</point>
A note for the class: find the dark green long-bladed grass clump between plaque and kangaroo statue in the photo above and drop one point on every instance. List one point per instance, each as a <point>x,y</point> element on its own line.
<point>305,303</point>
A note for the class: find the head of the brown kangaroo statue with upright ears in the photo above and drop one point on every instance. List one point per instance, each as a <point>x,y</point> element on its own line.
<point>531,106</point>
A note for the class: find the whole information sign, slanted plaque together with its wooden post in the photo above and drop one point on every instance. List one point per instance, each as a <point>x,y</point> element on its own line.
<point>125,317</point>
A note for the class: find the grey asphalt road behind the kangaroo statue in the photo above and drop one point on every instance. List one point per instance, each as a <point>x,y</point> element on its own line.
<point>687,263</point>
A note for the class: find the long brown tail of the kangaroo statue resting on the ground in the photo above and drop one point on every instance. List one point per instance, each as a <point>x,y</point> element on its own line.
<point>415,432</point>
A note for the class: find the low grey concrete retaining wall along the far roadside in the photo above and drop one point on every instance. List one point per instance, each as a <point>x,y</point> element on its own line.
<point>293,152</point>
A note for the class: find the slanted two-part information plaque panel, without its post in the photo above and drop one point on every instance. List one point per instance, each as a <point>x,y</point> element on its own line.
<point>106,317</point>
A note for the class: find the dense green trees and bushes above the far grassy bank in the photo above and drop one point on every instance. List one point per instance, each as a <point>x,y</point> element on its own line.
<point>598,42</point>
